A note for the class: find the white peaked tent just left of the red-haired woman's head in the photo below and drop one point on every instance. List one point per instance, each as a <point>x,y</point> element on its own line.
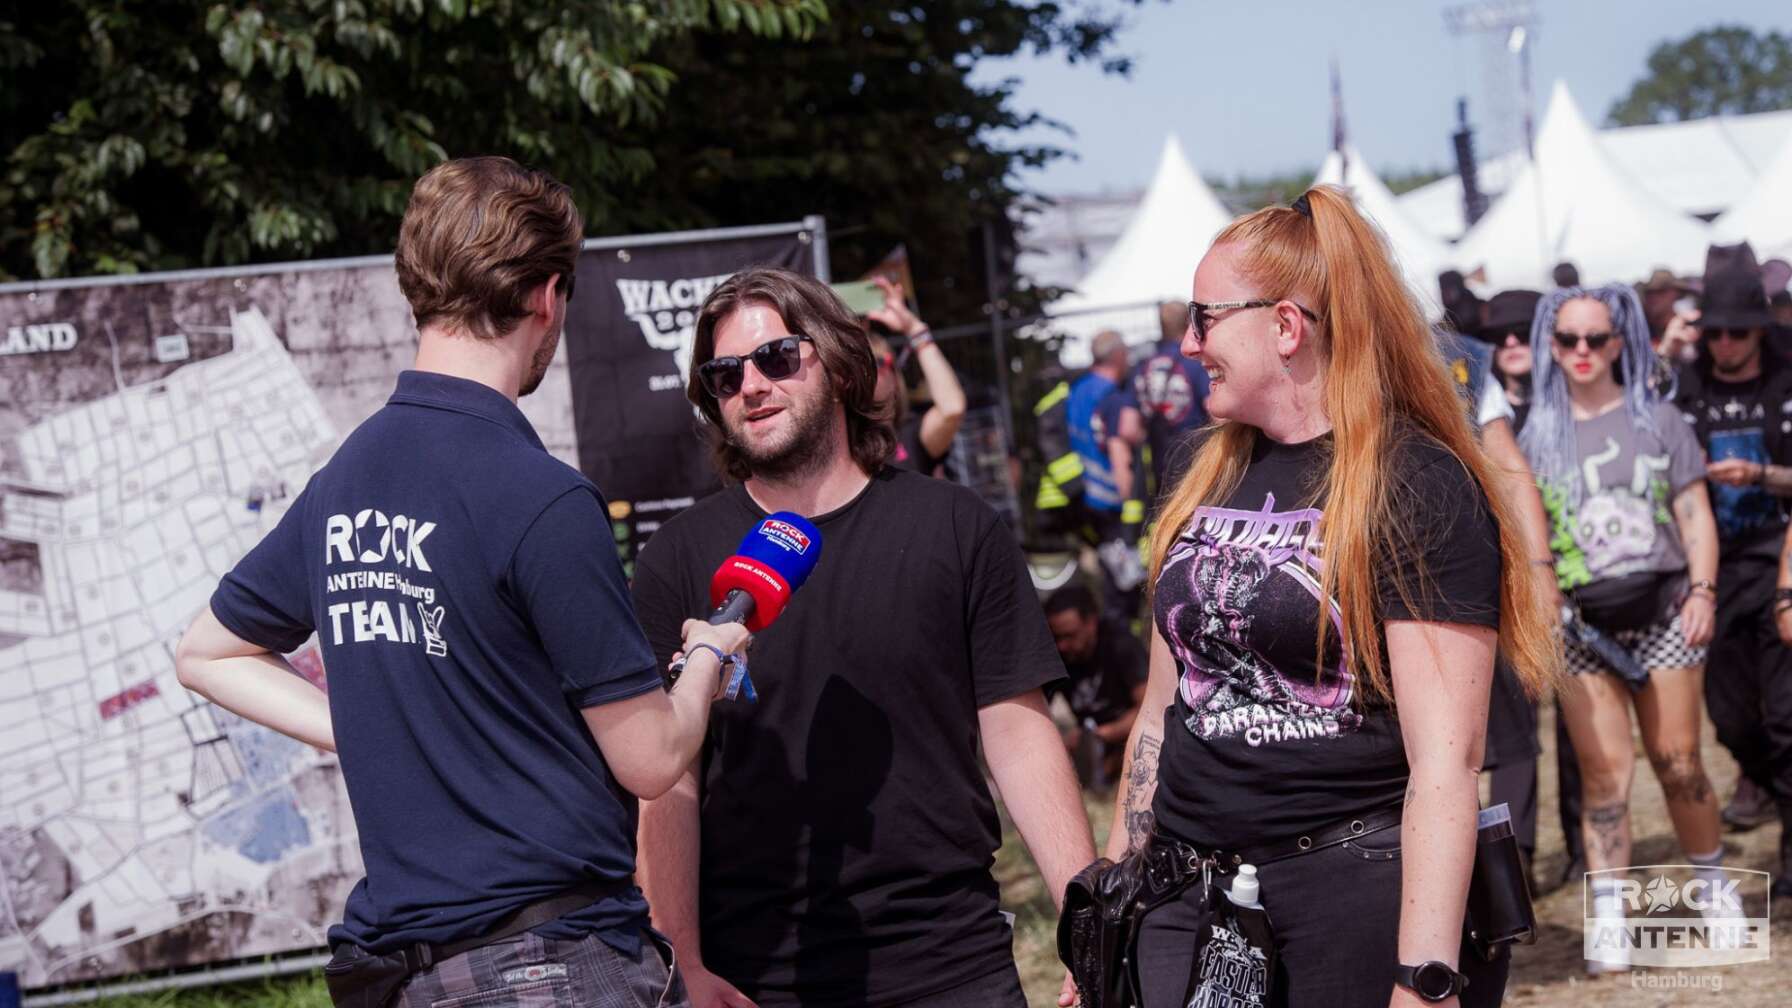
<point>1153,261</point>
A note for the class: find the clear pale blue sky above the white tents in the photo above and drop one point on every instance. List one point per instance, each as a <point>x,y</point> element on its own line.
<point>1245,83</point>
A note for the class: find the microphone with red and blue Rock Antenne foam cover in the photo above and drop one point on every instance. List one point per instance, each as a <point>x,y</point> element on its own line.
<point>757,582</point>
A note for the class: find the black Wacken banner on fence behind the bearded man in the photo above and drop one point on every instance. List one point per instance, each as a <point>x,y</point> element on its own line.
<point>635,315</point>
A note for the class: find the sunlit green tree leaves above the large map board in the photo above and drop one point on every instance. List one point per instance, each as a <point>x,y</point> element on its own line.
<point>198,134</point>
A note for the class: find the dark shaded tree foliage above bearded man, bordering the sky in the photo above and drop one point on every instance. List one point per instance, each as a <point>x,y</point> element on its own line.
<point>879,123</point>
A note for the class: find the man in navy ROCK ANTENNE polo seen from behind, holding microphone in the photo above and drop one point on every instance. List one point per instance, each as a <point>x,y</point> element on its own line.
<point>490,688</point>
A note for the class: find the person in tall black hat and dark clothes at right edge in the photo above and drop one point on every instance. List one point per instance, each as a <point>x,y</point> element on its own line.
<point>1743,412</point>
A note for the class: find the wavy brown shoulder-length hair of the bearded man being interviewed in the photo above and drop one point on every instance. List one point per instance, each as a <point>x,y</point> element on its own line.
<point>811,309</point>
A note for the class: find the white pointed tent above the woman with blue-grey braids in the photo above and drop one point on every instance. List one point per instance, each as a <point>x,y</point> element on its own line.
<point>1576,205</point>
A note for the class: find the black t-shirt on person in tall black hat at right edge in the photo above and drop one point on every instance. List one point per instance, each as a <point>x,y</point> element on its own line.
<point>1745,421</point>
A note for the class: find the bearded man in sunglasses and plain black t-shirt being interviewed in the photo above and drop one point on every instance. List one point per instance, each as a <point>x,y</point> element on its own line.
<point>832,844</point>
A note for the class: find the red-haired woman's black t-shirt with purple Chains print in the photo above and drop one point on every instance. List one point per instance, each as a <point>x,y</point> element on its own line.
<point>1259,743</point>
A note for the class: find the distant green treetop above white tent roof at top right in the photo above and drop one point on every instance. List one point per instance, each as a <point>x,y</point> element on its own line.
<point>1721,71</point>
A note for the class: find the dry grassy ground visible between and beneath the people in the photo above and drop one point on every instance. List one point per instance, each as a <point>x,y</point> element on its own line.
<point>1546,975</point>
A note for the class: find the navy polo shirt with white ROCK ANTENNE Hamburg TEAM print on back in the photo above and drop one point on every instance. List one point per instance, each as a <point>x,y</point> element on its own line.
<point>469,602</point>
